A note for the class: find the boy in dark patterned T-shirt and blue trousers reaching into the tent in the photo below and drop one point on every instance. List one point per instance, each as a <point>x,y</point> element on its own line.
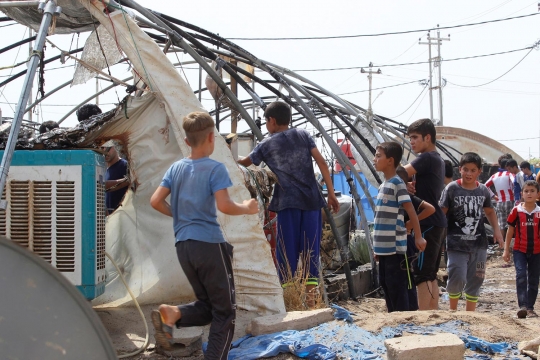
<point>288,152</point>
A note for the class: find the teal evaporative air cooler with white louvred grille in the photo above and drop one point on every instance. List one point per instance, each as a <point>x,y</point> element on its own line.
<point>56,208</point>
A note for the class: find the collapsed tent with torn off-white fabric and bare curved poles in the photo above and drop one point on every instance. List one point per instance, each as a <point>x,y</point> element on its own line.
<point>148,124</point>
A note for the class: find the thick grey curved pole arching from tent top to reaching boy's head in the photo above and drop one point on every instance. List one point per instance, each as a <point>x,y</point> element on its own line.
<point>175,37</point>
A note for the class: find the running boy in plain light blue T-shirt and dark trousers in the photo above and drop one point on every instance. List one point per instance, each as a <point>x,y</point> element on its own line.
<point>196,185</point>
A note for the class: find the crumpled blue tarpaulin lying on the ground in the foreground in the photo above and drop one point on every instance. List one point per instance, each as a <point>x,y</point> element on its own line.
<point>341,339</point>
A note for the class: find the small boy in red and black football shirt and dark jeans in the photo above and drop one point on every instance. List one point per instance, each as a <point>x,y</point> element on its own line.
<point>524,223</point>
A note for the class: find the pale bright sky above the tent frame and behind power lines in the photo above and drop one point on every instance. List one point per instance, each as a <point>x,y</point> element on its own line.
<point>507,109</point>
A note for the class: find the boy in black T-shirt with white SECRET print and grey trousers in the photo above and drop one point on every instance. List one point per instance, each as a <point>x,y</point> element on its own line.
<point>465,203</point>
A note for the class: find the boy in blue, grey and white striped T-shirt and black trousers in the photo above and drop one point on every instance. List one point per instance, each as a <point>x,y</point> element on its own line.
<point>390,234</point>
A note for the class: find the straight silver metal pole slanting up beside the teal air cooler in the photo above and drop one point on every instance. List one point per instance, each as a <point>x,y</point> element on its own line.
<point>49,9</point>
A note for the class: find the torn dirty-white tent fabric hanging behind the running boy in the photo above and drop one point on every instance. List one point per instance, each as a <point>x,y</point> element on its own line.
<point>139,238</point>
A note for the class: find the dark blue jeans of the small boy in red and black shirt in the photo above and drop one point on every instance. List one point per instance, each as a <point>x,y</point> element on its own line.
<point>527,278</point>
